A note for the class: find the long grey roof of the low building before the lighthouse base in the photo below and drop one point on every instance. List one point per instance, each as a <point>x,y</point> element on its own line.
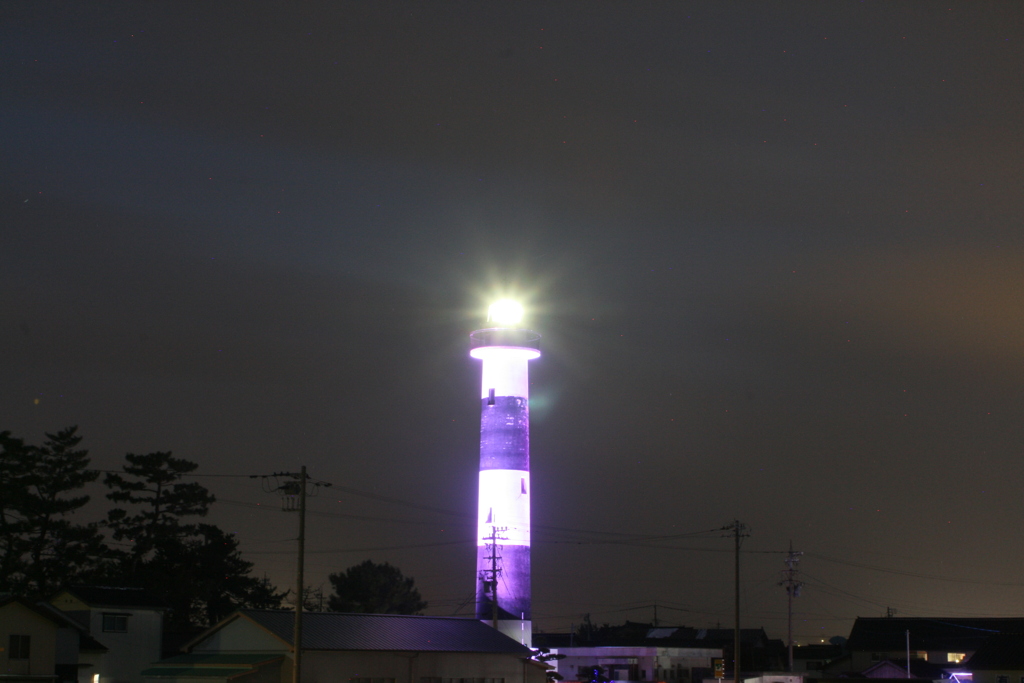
<point>339,631</point>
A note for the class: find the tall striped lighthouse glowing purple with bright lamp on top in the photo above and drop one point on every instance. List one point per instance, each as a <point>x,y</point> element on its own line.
<point>503,594</point>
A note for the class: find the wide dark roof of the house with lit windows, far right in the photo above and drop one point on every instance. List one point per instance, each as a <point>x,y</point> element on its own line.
<point>953,635</point>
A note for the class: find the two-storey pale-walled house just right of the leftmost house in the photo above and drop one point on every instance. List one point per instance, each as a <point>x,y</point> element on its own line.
<point>127,621</point>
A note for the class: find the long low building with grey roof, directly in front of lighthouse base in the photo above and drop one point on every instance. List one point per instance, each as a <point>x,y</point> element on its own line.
<point>255,647</point>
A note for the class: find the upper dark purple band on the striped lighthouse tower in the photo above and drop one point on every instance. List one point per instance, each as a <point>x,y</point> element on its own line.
<point>505,434</point>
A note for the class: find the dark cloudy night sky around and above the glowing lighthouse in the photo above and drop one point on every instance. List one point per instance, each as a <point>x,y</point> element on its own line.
<point>776,252</point>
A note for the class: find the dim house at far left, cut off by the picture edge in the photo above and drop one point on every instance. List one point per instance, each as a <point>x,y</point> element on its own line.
<point>40,644</point>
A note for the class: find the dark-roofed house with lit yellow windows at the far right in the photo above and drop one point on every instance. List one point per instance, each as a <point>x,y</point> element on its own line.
<point>948,643</point>
